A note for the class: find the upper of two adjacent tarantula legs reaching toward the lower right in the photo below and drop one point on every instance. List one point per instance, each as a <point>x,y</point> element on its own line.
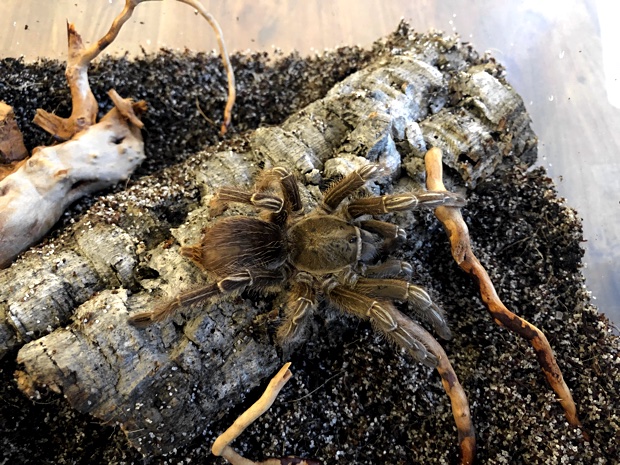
<point>415,295</point>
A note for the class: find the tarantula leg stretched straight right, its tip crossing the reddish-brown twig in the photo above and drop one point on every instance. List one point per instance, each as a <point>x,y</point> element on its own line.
<point>403,202</point>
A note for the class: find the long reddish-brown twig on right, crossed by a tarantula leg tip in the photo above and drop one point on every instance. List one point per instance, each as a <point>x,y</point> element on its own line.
<point>462,252</point>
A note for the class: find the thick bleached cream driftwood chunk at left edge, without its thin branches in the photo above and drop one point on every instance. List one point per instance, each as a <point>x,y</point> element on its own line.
<point>38,192</point>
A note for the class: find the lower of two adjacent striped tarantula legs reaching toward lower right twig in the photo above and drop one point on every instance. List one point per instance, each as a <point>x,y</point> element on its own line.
<point>381,314</point>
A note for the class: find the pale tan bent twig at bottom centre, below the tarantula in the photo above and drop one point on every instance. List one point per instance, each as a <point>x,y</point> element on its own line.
<point>221,446</point>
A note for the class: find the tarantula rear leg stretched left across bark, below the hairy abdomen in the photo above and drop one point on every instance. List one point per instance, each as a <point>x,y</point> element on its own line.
<point>234,283</point>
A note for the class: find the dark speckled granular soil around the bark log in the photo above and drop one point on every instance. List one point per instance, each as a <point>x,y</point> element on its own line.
<point>361,403</point>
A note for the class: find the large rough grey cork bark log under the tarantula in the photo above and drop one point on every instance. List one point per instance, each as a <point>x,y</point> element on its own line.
<point>167,383</point>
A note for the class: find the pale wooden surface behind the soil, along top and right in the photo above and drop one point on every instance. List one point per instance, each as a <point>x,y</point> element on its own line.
<point>563,58</point>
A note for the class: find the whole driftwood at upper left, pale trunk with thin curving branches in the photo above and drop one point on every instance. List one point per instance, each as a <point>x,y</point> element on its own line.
<point>35,193</point>
